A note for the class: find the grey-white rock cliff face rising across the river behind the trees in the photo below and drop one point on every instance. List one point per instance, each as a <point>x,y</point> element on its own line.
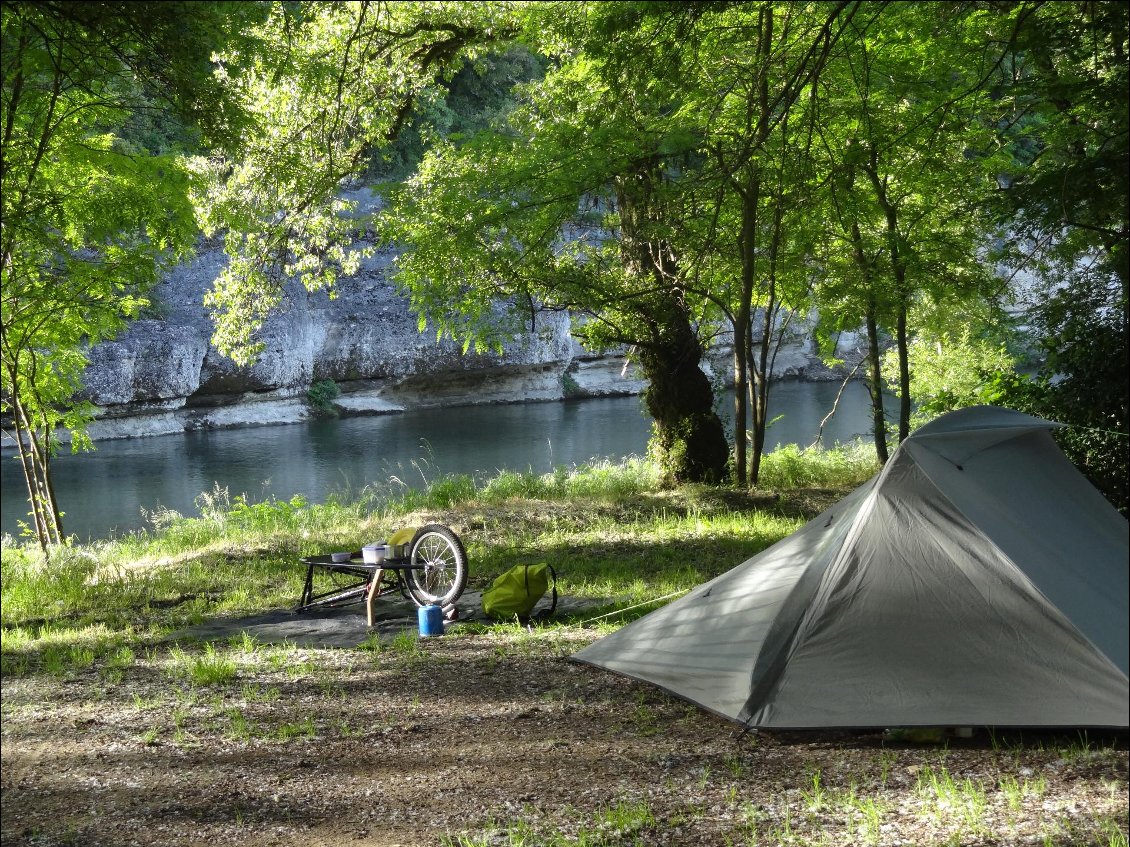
<point>163,377</point>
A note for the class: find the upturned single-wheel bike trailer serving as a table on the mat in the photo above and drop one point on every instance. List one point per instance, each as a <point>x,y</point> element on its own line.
<point>432,573</point>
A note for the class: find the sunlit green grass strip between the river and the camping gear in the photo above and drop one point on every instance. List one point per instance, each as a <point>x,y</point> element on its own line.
<point>607,527</point>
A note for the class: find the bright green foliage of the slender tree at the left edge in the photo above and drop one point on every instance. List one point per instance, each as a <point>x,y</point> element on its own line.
<point>90,219</point>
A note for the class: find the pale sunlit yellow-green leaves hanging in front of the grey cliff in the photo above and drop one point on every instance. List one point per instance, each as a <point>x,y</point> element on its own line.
<point>331,84</point>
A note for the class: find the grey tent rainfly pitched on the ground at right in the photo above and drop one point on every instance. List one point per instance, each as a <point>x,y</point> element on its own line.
<point>978,580</point>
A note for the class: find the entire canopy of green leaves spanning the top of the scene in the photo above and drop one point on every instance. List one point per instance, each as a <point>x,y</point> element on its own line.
<point>680,165</point>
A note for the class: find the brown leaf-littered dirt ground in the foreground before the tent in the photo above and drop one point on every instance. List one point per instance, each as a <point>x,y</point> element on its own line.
<point>499,739</point>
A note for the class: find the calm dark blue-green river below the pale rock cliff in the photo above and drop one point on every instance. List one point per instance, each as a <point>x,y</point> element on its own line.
<point>109,492</point>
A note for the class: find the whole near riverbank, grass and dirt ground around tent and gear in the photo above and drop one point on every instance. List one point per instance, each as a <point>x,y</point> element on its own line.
<point>119,731</point>
